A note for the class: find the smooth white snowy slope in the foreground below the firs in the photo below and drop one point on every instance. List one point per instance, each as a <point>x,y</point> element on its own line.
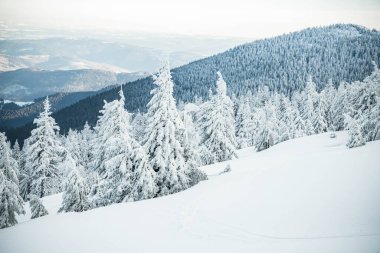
<point>306,195</point>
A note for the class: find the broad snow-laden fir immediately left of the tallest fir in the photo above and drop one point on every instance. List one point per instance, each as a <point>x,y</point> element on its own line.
<point>123,165</point>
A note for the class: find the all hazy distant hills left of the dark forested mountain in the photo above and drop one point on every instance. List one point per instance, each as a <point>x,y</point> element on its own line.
<point>31,68</point>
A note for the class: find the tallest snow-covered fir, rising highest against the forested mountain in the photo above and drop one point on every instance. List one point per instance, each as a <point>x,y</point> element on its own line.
<point>164,130</point>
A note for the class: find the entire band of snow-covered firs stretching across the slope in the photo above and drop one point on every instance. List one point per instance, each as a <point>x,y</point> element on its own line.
<point>129,157</point>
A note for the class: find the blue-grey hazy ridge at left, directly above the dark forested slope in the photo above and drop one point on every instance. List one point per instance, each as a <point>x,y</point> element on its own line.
<point>28,84</point>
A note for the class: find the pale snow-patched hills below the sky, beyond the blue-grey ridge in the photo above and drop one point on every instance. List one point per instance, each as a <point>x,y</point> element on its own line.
<point>124,53</point>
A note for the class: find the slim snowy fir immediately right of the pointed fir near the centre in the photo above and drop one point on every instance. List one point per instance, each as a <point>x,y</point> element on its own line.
<point>245,130</point>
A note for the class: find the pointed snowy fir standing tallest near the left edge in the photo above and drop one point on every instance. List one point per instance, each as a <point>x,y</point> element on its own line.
<point>44,154</point>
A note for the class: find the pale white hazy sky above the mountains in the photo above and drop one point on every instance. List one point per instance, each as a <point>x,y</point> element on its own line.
<point>243,18</point>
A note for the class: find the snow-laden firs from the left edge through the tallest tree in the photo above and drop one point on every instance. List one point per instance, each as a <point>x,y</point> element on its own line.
<point>107,164</point>
